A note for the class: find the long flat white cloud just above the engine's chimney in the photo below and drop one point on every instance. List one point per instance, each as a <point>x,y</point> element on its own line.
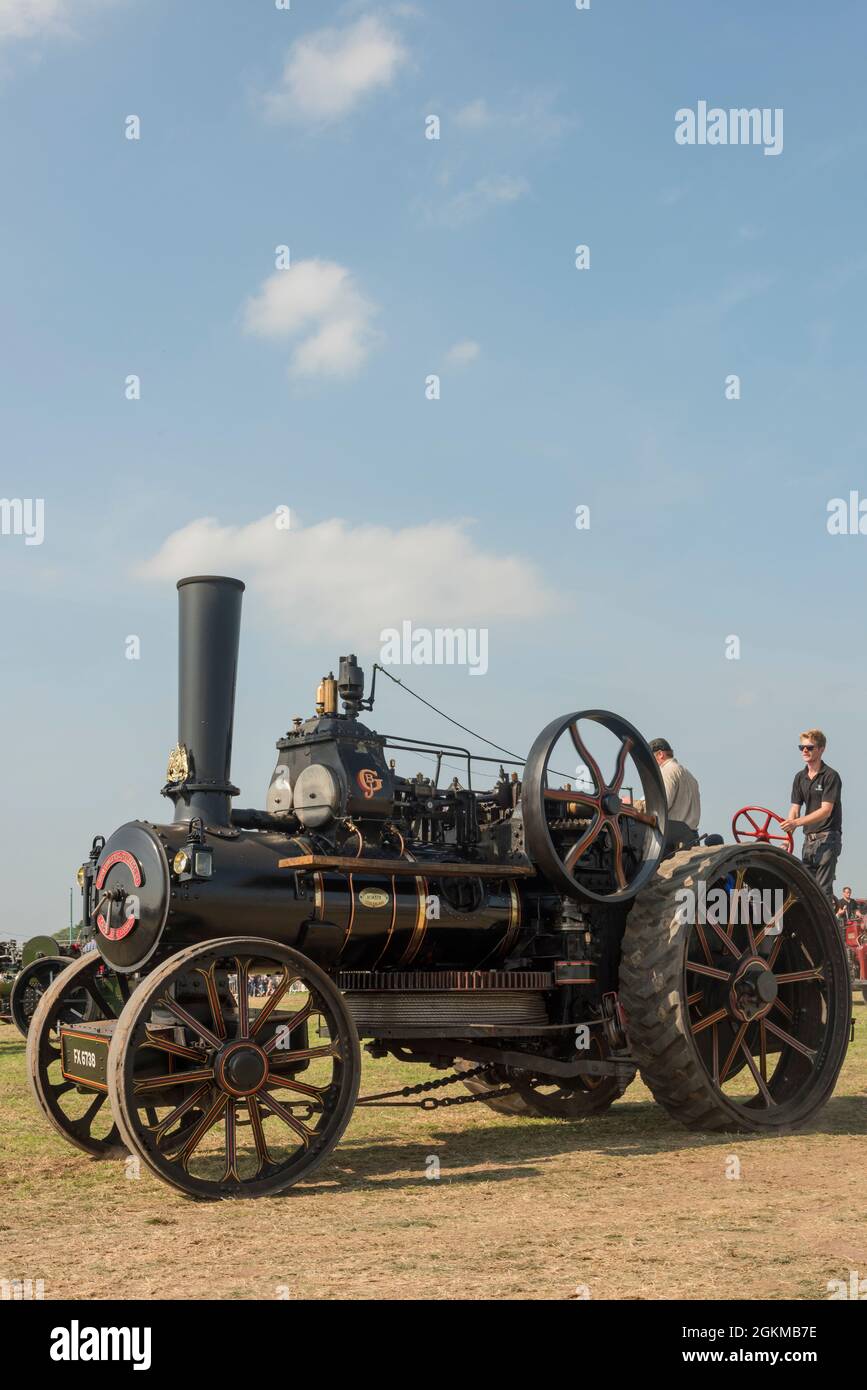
<point>351,582</point>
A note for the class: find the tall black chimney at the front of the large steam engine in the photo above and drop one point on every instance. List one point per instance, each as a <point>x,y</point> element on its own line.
<point>208,667</point>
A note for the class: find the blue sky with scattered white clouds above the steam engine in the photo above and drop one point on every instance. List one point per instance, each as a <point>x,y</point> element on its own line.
<point>605,387</point>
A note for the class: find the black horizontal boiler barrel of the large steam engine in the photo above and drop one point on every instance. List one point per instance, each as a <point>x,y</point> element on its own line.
<point>355,919</point>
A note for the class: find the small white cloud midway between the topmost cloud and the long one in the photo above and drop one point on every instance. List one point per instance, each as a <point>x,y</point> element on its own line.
<point>320,302</point>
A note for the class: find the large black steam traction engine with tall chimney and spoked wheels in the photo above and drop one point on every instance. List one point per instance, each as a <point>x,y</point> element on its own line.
<point>533,938</point>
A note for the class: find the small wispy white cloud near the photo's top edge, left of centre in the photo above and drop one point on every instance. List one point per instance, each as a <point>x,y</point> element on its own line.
<point>327,73</point>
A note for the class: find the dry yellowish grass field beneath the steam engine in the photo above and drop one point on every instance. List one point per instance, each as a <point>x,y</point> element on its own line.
<point>629,1206</point>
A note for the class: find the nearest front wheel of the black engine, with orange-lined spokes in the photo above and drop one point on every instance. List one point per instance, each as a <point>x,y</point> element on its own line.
<point>234,1070</point>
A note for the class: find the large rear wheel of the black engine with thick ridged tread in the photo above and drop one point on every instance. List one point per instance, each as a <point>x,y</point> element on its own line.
<point>736,988</point>
